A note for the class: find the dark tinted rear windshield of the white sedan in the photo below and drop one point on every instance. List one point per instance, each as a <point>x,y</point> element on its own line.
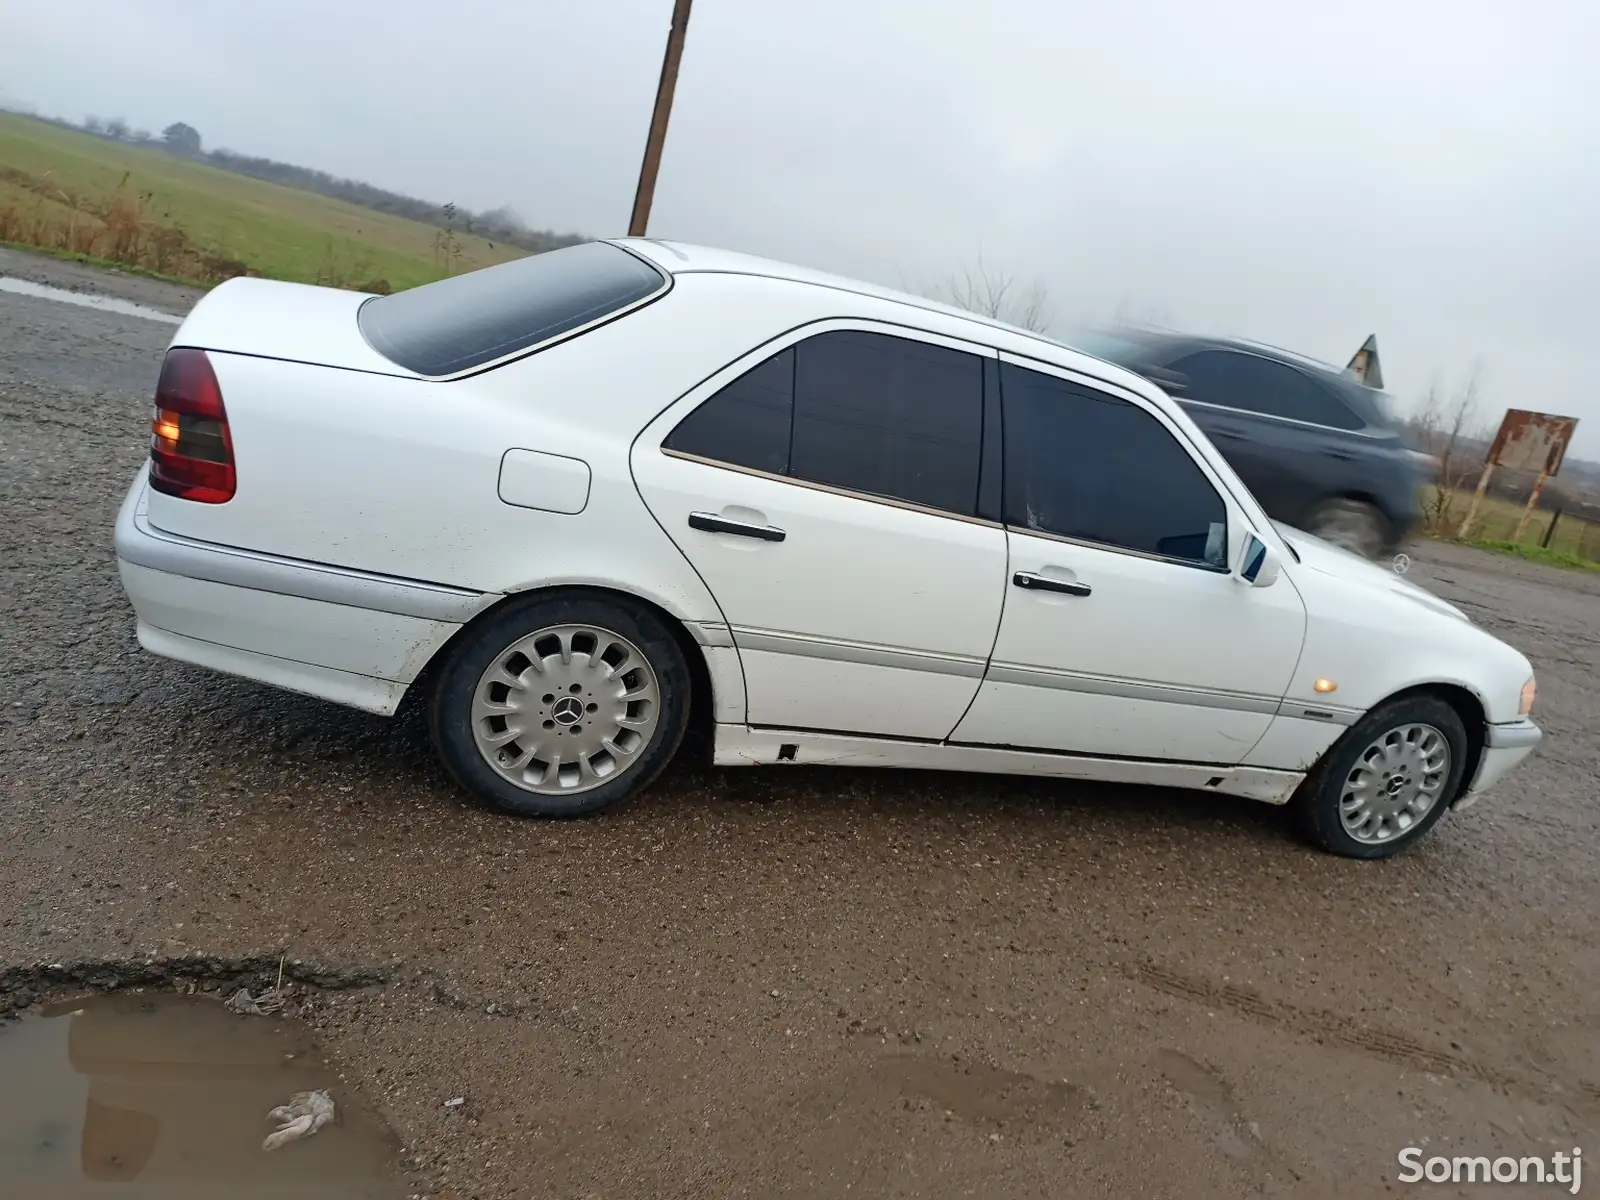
<point>470,321</point>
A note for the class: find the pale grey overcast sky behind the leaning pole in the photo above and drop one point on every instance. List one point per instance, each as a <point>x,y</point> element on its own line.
<point>1425,170</point>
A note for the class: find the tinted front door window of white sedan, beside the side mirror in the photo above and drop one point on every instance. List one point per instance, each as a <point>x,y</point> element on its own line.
<point>1090,466</point>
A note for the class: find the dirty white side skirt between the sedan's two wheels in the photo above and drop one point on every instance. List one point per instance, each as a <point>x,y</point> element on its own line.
<point>746,746</point>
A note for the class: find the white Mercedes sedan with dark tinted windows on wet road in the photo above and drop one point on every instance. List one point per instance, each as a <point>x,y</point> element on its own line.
<point>585,500</point>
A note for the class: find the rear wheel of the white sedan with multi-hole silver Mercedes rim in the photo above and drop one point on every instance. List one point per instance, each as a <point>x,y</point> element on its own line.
<point>562,705</point>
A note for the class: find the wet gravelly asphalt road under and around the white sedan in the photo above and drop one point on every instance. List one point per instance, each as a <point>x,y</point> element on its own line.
<point>820,983</point>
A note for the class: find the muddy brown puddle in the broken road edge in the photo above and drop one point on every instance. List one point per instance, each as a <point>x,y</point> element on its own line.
<point>166,1098</point>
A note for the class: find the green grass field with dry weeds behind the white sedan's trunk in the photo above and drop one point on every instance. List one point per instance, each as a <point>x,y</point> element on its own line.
<point>79,194</point>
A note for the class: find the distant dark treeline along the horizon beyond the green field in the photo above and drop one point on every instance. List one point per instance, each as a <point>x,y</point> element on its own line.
<point>498,225</point>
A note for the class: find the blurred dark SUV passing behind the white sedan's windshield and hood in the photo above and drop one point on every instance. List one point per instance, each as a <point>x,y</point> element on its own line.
<point>1316,446</point>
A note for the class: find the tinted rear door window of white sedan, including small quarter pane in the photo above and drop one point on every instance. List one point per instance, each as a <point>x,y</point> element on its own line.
<point>854,410</point>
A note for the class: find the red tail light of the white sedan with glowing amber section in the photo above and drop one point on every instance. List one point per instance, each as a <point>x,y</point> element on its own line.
<point>191,450</point>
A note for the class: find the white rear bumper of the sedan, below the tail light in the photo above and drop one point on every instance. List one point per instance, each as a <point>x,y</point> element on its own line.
<point>345,636</point>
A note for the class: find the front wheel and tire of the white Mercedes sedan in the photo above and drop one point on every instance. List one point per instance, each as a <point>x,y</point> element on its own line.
<point>1388,782</point>
